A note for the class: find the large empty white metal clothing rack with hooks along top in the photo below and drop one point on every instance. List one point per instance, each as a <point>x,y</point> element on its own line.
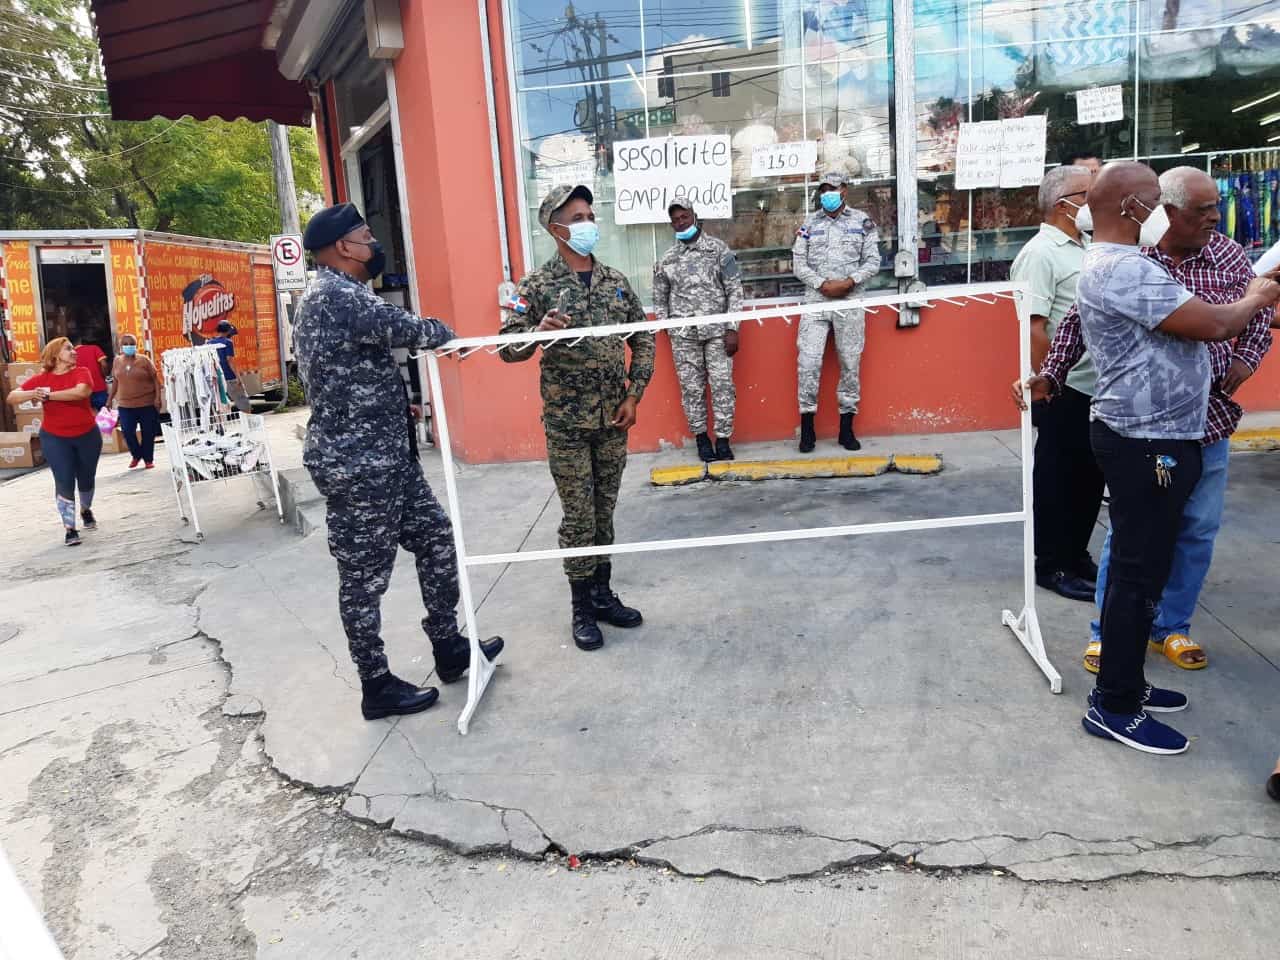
<point>1025,625</point>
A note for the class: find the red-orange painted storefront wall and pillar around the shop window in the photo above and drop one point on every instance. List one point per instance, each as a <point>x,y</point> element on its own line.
<point>950,374</point>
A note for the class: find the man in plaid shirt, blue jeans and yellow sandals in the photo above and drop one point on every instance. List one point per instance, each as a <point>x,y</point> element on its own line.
<point>1217,271</point>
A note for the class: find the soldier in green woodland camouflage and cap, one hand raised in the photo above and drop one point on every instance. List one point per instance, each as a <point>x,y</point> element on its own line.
<point>588,403</point>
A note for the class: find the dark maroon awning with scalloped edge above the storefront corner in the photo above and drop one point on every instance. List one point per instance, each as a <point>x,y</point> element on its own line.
<point>199,58</point>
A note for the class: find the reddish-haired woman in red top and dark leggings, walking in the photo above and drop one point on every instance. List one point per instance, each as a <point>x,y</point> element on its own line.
<point>68,435</point>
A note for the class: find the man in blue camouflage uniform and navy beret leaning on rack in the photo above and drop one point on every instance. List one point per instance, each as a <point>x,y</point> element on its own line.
<point>359,455</point>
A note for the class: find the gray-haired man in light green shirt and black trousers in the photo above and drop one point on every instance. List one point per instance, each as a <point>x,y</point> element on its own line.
<point>1068,484</point>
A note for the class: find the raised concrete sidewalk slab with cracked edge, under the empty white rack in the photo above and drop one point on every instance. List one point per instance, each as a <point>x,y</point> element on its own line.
<point>787,707</point>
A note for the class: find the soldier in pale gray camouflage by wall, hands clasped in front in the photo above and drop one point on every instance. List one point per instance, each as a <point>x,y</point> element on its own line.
<point>836,252</point>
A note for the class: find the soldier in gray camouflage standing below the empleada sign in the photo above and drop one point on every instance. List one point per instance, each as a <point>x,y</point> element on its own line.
<point>697,277</point>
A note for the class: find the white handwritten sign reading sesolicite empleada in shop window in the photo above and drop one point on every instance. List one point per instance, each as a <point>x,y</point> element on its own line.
<point>648,175</point>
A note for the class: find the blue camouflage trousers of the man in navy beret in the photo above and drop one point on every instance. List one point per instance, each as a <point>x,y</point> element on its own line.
<point>369,520</point>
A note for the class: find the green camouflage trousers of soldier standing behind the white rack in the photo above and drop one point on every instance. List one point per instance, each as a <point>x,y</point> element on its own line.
<point>587,467</point>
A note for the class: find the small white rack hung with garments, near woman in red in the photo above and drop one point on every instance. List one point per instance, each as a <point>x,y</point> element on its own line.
<point>208,440</point>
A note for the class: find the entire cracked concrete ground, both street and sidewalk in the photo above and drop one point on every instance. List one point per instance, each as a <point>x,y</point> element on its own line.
<point>184,772</point>
